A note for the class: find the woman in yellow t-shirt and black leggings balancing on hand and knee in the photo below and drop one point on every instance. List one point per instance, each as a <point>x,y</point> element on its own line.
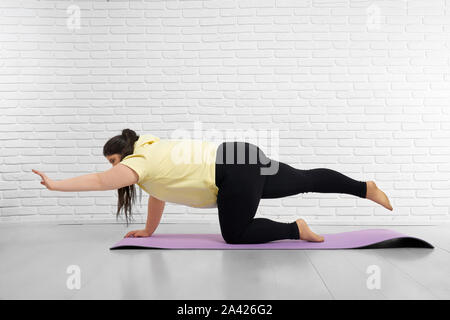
<point>232,176</point>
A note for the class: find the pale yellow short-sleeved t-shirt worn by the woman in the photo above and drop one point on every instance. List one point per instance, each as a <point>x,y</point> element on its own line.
<point>179,171</point>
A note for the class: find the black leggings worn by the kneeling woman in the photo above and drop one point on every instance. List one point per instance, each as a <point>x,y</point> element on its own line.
<point>243,181</point>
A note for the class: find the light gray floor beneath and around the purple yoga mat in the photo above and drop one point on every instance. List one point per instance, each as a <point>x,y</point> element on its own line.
<point>34,259</point>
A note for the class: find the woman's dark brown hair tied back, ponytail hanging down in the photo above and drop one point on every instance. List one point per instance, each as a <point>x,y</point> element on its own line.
<point>124,145</point>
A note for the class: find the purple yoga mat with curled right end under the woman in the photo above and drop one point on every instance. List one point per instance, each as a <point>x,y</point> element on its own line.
<point>371,238</point>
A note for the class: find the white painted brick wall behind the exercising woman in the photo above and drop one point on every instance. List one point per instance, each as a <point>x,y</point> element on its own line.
<point>362,87</point>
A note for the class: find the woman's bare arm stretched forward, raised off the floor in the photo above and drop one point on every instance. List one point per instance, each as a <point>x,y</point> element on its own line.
<point>117,177</point>
